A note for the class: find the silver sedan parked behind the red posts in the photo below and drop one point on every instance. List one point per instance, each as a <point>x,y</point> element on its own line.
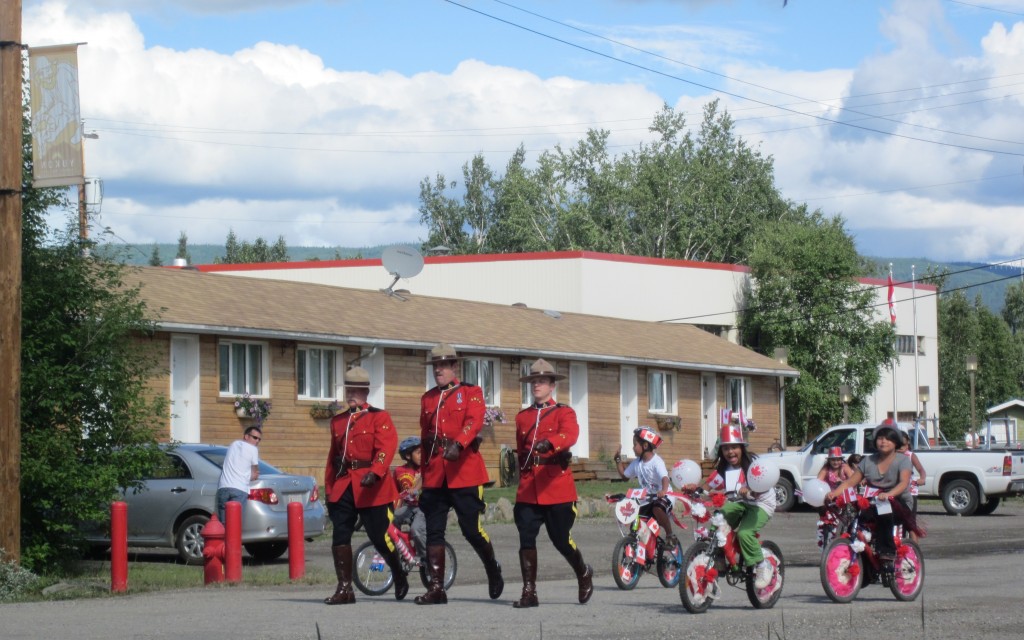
<point>176,504</point>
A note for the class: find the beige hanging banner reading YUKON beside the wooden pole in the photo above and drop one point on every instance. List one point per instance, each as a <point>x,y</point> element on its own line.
<point>57,121</point>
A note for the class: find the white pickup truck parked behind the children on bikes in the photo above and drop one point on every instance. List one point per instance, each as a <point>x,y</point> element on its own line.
<point>969,482</point>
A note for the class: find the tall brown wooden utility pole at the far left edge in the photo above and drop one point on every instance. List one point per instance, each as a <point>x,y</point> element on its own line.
<point>11,279</point>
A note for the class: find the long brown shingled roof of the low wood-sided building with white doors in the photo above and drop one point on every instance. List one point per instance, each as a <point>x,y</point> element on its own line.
<point>188,301</point>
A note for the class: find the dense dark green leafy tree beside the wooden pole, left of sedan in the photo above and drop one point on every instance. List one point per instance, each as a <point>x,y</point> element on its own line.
<point>87,419</point>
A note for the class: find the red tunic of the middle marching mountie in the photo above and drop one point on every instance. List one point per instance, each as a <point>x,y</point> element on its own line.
<point>455,413</point>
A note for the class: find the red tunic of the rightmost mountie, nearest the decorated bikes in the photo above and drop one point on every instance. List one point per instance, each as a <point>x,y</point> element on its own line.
<point>546,480</point>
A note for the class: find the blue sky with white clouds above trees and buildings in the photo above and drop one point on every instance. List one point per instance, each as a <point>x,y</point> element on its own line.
<point>318,119</point>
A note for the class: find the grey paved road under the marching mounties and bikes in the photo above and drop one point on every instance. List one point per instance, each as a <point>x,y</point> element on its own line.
<point>974,589</point>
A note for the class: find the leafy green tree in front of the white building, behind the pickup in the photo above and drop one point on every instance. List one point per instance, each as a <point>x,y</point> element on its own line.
<point>805,296</point>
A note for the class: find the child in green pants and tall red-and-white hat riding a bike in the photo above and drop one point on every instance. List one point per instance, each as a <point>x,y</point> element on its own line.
<point>751,513</point>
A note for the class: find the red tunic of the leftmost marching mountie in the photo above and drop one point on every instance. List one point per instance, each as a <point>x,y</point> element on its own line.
<point>363,440</point>
